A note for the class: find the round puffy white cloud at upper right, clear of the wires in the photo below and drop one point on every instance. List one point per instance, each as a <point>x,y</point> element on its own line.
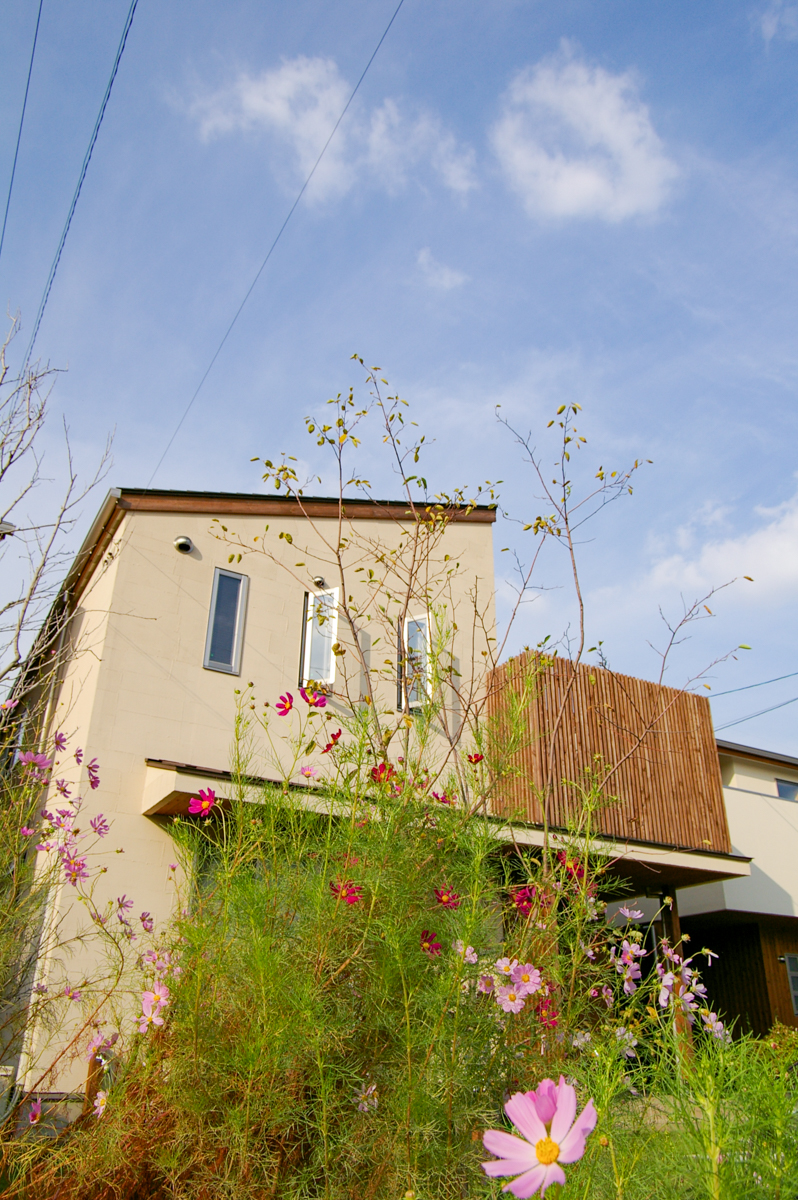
<point>575,141</point>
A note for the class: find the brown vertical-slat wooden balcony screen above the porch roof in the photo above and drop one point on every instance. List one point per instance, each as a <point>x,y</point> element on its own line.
<point>669,790</point>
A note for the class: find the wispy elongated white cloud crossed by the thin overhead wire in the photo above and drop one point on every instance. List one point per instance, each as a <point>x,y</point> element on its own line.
<point>301,103</point>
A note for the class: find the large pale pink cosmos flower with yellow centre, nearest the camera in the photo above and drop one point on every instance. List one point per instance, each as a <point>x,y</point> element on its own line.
<point>551,1137</point>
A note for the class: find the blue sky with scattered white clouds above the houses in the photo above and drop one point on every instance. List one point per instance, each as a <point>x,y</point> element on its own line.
<point>527,205</point>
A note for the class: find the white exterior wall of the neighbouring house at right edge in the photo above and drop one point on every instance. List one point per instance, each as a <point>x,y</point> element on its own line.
<point>764,827</point>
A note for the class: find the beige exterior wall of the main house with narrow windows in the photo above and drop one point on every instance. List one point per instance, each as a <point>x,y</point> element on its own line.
<point>137,689</point>
